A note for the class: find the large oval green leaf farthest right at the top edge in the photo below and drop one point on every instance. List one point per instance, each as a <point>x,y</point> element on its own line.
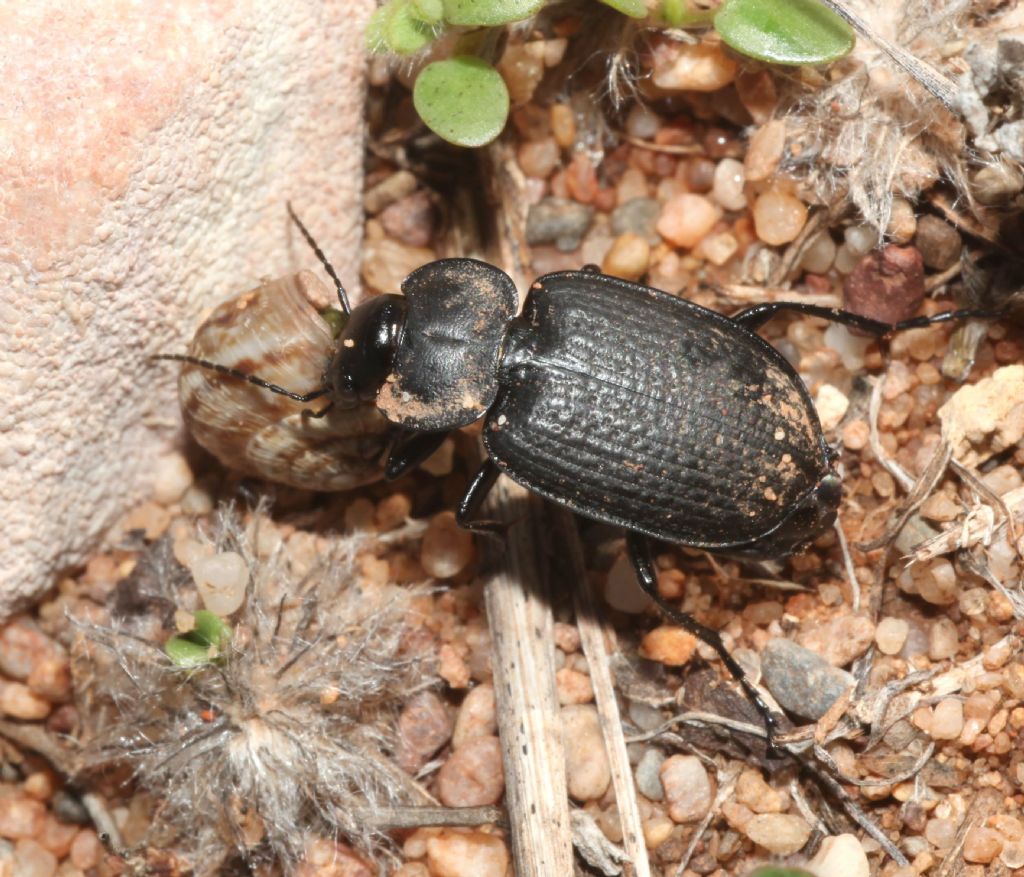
<point>793,32</point>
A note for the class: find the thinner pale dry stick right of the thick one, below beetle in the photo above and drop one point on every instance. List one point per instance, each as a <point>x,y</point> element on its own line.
<point>592,630</point>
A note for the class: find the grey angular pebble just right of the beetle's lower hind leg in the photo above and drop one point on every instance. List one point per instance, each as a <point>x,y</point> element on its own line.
<point>800,680</point>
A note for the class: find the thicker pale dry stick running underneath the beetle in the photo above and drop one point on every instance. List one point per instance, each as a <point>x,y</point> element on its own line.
<point>522,624</point>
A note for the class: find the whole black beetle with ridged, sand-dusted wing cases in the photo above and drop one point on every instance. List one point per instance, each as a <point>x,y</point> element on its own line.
<point>623,403</point>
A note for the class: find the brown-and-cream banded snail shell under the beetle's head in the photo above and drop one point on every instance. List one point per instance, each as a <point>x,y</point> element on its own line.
<point>275,332</point>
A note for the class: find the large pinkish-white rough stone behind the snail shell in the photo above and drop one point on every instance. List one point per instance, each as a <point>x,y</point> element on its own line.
<point>136,196</point>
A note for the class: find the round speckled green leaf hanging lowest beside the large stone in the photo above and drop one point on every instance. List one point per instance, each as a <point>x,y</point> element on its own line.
<point>462,100</point>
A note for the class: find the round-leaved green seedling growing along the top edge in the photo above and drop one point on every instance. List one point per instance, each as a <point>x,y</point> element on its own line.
<point>464,100</point>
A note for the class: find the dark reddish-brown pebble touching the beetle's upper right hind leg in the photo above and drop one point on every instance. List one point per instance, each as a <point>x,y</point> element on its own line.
<point>887,284</point>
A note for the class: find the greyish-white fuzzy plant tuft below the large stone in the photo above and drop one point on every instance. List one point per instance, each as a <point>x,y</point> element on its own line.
<point>282,741</point>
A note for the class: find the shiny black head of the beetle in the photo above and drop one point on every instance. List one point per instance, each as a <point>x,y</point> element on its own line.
<point>366,351</point>
